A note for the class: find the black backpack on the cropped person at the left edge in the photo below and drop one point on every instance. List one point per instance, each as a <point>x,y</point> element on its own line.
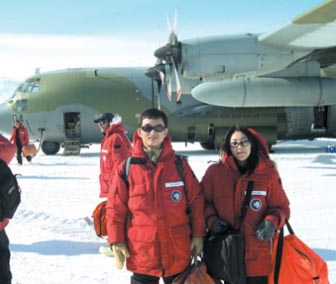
<point>10,192</point>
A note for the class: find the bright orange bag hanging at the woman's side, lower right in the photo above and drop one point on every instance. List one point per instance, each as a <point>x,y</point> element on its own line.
<point>295,262</point>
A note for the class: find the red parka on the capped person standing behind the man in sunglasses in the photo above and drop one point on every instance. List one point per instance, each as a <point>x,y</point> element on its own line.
<point>115,147</point>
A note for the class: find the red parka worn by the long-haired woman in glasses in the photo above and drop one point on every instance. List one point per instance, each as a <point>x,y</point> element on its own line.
<point>224,188</point>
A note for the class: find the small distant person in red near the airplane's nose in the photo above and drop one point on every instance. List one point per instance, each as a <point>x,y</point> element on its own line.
<point>20,138</point>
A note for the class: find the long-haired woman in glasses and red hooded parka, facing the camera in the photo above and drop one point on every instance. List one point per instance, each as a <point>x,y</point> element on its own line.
<point>245,158</point>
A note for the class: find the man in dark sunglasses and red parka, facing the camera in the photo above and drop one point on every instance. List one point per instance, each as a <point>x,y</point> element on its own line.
<point>147,222</point>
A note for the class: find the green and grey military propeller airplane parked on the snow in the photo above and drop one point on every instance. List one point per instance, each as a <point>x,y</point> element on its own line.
<point>270,82</point>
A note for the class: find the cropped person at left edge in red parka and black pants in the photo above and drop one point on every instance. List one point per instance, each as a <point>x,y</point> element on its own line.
<point>7,152</point>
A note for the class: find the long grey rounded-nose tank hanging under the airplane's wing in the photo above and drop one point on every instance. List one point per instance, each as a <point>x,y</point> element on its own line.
<point>268,92</point>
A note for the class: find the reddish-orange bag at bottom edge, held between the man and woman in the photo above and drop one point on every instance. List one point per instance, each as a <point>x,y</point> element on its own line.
<point>195,273</point>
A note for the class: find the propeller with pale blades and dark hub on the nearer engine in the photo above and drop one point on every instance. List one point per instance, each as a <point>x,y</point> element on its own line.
<point>171,54</point>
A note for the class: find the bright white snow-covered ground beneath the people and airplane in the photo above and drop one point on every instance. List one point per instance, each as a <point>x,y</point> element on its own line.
<point>51,242</point>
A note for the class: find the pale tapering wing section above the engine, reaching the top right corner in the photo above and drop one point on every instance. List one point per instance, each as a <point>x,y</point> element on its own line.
<point>314,29</point>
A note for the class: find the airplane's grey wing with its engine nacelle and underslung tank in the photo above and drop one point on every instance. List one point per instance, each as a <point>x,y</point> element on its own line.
<point>291,66</point>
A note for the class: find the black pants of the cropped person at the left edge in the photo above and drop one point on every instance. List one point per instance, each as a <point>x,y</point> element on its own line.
<point>5,274</point>
